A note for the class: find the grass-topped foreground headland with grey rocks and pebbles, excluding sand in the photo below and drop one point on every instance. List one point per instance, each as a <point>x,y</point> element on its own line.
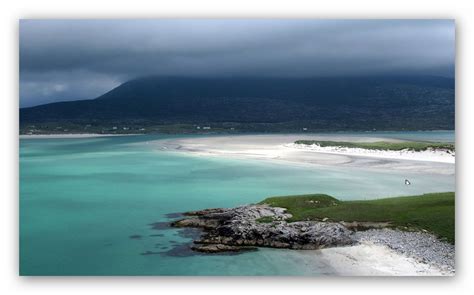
<point>418,227</point>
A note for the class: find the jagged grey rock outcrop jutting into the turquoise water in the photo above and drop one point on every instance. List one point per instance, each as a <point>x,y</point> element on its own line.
<point>247,227</point>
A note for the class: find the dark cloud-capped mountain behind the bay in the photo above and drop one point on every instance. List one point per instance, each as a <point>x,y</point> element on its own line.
<point>322,103</point>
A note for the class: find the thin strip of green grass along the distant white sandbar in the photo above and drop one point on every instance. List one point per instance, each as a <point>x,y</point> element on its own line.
<point>383,145</point>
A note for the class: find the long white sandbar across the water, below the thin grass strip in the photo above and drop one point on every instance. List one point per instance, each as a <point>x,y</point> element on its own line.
<point>282,148</point>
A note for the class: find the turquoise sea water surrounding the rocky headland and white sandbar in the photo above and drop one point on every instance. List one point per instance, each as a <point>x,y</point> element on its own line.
<point>87,205</point>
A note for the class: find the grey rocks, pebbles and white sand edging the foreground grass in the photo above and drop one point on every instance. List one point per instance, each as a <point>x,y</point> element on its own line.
<point>373,252</point>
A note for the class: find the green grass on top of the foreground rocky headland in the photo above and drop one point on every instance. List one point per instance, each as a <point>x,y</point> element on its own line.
<point>432,212</point>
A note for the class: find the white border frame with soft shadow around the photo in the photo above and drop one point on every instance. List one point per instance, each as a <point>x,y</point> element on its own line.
<point>10,12</point>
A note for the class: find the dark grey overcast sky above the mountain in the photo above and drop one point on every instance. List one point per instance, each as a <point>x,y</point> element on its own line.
<point>82,59</point>
